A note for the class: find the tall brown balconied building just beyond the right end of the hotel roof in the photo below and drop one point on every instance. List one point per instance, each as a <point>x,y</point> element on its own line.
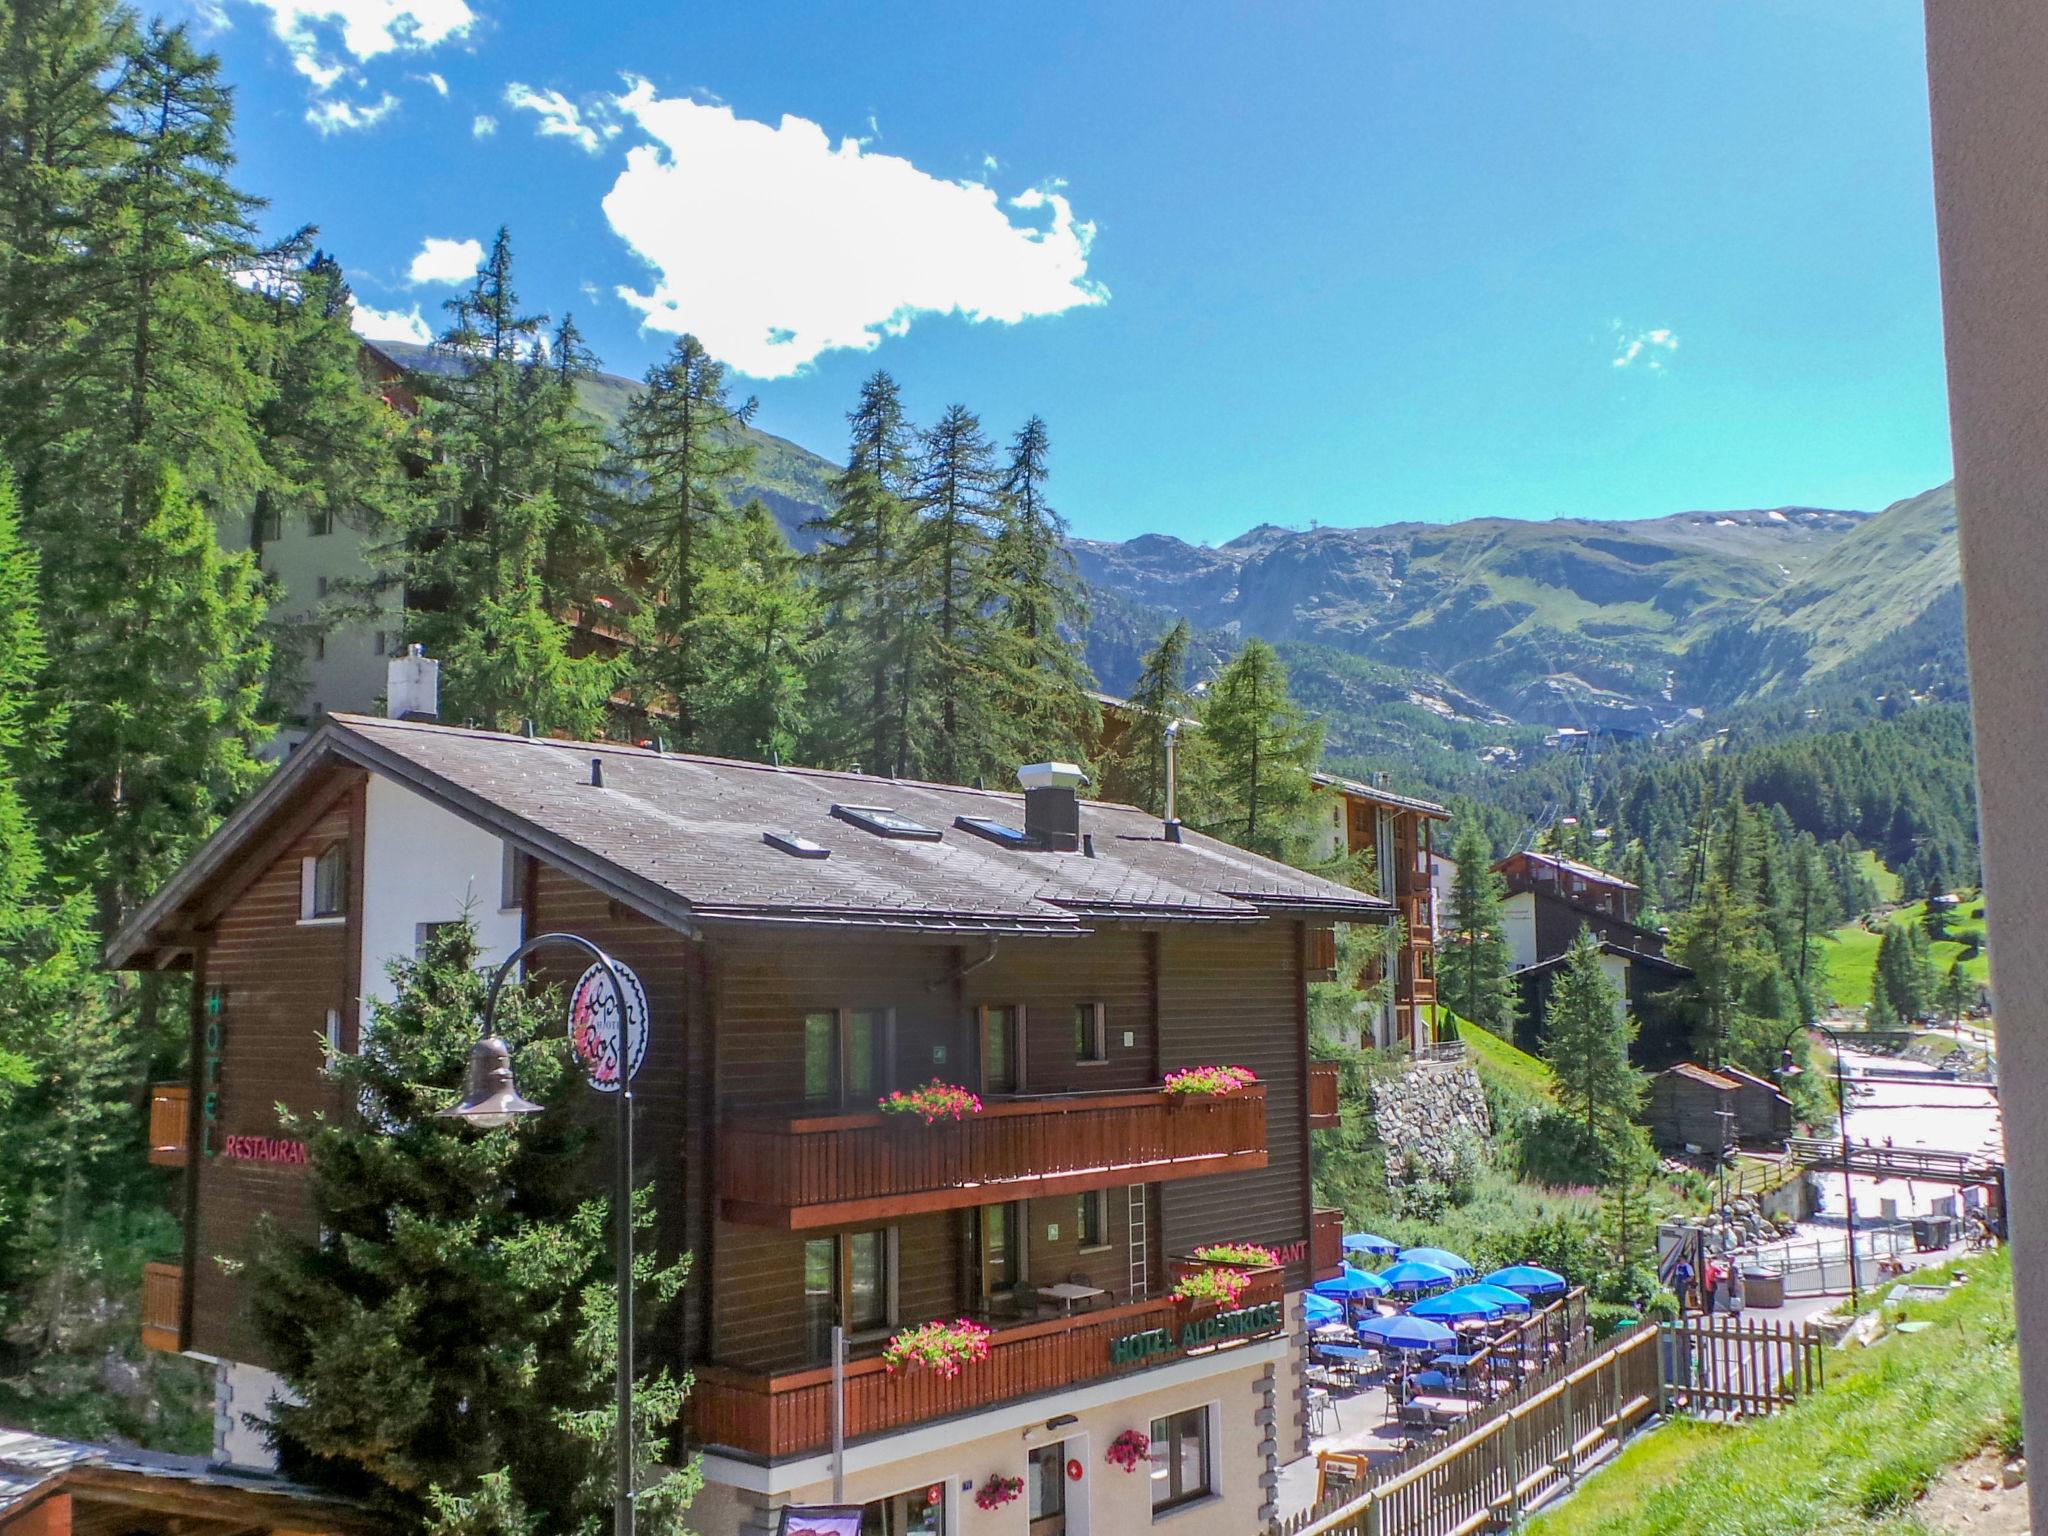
<point>1353,818</point>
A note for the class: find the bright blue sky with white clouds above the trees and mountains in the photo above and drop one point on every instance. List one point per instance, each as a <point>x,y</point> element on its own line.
<point>1351,263</point>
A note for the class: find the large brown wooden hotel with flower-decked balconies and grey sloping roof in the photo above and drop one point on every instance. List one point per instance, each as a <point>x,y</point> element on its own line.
<point>804,943</point>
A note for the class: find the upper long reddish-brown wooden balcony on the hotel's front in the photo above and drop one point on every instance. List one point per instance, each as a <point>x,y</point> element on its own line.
<point>841,1168</point>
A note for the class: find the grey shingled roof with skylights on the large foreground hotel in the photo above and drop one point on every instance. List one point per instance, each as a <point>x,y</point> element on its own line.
<point>681,839</point>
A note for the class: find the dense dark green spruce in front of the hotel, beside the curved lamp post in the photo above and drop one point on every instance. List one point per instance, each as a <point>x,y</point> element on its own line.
<point>445,1322</point>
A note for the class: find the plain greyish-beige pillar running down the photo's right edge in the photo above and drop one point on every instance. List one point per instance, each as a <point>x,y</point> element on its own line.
<point>1988,75</point>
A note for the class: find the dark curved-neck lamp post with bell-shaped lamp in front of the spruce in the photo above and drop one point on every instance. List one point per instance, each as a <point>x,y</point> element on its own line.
<point>493,1101</point>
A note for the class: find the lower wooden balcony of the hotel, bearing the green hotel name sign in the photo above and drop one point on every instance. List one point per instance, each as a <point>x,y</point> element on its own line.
<point>773,1418</point>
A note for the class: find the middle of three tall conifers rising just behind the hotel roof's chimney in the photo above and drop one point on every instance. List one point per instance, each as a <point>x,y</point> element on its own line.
<point>955,501</point>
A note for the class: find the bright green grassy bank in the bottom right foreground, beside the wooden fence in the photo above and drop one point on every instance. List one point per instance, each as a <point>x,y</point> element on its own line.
<point>1852,1457</point>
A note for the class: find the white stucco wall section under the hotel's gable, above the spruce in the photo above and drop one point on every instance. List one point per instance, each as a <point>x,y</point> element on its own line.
<point>425,865</point>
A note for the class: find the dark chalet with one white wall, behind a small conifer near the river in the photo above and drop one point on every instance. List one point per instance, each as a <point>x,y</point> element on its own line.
<point>1549,900</point>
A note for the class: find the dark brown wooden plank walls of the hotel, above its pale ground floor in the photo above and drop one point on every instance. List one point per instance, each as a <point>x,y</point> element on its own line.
<point>1093,1172</point>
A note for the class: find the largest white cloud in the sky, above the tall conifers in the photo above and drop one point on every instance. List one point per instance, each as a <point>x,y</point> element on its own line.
<point>824,247</point>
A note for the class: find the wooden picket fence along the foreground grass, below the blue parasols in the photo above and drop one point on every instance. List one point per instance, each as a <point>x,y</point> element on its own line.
<point>1547,1433</point>
